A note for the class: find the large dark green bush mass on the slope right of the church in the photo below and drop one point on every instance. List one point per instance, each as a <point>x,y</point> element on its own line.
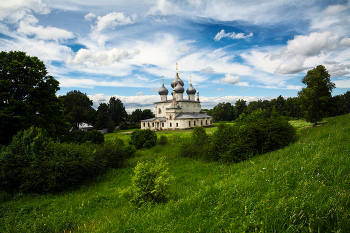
<point>246,139</point>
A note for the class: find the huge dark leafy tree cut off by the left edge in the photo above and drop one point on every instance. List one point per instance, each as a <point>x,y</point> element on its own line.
<point>28,97</point>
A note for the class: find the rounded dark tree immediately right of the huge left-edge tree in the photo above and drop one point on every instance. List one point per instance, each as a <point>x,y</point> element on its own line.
<point>77,108</point>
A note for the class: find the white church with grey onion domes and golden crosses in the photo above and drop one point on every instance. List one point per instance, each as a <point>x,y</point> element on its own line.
<point>177,112</point>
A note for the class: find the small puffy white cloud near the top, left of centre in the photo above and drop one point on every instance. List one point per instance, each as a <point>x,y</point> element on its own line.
<point>111,20</point>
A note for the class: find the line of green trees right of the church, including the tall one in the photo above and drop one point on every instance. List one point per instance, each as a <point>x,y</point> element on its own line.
<point>312,103</point>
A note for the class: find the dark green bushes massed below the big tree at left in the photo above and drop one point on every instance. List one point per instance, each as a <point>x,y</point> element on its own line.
<point>34,163</point>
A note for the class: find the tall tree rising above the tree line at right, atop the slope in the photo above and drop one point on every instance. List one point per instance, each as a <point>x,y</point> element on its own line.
<point>316,96</point>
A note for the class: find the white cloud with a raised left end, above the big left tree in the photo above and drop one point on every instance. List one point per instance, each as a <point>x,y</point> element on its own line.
<point>28,27</point>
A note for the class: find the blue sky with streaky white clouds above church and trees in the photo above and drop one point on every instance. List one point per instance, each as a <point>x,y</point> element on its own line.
<point>232,49</point>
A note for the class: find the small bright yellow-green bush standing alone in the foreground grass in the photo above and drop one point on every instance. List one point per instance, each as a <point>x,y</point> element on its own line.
<point>149,184</point>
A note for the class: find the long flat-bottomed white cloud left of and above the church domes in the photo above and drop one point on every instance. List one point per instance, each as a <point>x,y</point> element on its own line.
<point>89,58</point>
